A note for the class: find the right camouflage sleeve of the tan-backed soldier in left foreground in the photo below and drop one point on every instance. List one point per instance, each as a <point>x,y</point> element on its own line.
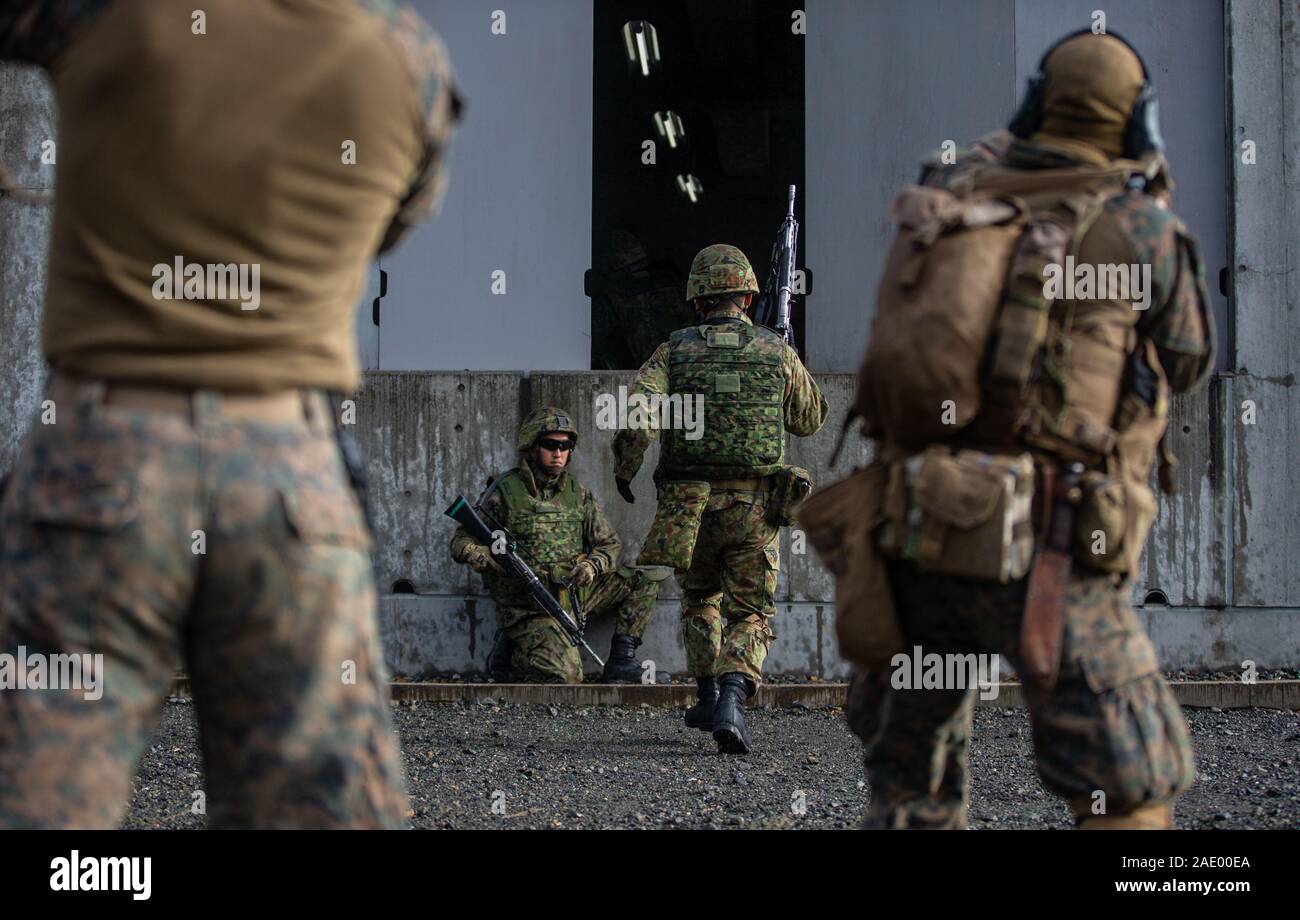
<point>441,106</point>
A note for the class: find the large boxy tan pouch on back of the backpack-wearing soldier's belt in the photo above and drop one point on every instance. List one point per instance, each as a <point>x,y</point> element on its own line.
<point>965,514</point>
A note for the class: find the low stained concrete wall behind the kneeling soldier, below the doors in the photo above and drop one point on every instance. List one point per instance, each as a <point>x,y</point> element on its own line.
<point>431,437</point>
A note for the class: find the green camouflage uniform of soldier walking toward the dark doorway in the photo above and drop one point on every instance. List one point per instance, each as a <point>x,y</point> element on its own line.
<point>733,576</point>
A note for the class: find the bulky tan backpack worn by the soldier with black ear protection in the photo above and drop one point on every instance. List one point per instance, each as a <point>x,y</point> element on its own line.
<point>961,303</point>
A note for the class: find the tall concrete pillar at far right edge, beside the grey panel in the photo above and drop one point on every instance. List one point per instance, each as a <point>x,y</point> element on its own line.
<point>1264,90</point>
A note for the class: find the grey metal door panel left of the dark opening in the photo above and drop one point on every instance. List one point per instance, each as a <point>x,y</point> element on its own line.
<point>519,202</point>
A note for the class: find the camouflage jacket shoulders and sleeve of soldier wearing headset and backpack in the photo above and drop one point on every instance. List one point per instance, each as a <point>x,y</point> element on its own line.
<point>1180,322</point>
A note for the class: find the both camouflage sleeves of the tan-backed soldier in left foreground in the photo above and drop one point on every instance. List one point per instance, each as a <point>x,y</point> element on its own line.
<point>40,32</point>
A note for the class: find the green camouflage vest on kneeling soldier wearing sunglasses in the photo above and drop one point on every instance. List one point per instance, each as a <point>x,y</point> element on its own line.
<point>549,533</point>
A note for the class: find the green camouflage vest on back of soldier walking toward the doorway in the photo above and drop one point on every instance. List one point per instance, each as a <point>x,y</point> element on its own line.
<point>738,368</point>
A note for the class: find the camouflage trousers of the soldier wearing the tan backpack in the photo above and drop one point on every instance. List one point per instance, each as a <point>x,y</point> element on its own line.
<point>1110,736</point>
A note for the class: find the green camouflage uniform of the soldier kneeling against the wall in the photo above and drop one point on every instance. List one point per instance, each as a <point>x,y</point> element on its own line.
<point>556,520</point>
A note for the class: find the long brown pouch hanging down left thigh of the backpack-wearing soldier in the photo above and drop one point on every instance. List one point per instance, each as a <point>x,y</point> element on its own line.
<point>840,523</point>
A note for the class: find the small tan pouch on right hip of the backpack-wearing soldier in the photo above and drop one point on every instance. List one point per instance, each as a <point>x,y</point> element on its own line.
<point>1112,524</point>
